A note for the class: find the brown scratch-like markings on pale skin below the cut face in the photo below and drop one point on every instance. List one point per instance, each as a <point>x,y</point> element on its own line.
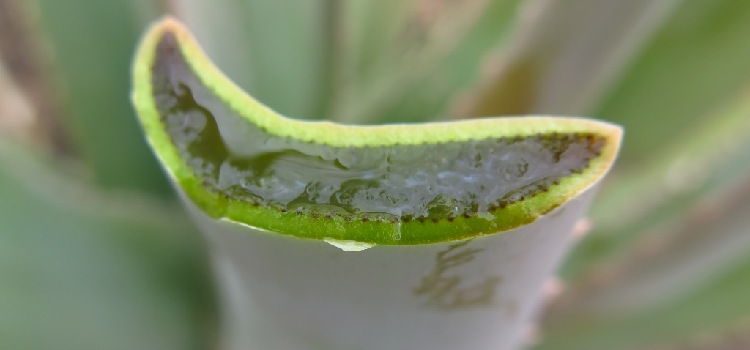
<point>444,289</point>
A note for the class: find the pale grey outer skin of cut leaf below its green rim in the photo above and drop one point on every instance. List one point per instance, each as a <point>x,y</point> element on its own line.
<point>281,292</point>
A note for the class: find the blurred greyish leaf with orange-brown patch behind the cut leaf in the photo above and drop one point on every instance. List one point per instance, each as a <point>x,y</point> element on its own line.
<point>560,61</point>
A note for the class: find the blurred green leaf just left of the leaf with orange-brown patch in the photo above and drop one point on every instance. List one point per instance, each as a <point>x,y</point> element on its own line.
<point>415,68</point>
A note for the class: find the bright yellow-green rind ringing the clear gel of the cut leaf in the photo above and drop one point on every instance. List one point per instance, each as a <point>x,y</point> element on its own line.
<point>372,232</point>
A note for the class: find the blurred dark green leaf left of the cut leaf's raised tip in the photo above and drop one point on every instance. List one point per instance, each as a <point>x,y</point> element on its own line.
<point>91,58</point>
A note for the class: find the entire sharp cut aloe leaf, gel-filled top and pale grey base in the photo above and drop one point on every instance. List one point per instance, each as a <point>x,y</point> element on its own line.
<point>327,236</point>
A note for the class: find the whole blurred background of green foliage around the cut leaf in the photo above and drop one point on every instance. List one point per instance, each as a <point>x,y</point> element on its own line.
<point>95,253</point>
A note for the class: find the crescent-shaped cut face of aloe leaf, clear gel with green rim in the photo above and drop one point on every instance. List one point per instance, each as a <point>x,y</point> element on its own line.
<point>398,184</point>
